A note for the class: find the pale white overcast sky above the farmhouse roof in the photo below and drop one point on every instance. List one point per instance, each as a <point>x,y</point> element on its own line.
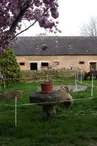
<point>73,14</point>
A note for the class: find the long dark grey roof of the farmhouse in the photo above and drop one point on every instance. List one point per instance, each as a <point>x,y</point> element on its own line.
<point>57,45</point>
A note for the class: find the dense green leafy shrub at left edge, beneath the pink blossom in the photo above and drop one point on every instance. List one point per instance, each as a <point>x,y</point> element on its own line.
<point>9,67</point>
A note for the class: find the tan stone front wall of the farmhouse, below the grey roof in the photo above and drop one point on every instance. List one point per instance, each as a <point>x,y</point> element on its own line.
<point>68,62</point>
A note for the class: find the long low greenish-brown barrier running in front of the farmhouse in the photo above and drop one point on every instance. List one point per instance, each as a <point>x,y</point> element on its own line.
<point>41,75</point>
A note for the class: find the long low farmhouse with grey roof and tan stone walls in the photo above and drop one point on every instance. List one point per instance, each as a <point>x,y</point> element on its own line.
<point>75,52</point>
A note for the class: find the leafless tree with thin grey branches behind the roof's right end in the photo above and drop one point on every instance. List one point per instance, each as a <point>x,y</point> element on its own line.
<point>90,29</point>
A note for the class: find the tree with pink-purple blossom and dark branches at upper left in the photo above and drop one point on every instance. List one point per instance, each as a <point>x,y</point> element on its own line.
<point>13,12</point>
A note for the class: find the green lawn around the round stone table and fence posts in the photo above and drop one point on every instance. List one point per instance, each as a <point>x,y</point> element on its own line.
<point>76,126</point>
